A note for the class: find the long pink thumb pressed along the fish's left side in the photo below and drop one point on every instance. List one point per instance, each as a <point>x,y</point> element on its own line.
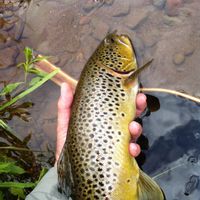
<point>64,105</point>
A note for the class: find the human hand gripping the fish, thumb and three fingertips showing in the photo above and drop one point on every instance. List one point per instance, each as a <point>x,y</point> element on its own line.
<point>64,107</point>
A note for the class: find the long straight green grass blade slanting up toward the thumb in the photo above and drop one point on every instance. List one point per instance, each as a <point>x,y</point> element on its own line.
<point>29,90</point>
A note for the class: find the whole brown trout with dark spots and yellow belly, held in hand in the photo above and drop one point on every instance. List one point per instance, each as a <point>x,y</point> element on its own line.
<point>95,162</point>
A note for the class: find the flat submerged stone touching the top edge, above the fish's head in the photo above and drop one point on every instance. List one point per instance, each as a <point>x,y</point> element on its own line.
<point>120,9</point>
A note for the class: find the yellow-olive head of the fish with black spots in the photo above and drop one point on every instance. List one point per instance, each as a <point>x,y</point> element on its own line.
<point>116,52</point>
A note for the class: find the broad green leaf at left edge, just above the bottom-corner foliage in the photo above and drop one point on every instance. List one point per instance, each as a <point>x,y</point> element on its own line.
<point>10,167</point>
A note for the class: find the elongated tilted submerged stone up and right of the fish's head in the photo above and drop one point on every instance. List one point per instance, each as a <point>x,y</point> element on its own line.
<point>136,18</point>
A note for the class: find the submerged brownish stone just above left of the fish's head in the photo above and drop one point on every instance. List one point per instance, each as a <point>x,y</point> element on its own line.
<point>100,29</point>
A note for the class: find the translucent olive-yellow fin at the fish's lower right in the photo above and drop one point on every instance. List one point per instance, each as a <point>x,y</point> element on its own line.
<point>148,189</point>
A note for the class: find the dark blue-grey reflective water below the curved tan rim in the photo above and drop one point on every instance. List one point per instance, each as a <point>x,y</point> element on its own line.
<point>173,155</point>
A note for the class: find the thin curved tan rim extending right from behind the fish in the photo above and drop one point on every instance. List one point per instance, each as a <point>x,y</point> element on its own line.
<point>187,96</point>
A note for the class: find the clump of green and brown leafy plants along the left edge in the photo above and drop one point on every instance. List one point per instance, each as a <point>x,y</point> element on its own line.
<point>19,170</point>
